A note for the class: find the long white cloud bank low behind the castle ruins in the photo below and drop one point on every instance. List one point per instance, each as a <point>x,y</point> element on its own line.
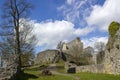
<point>49,33</point>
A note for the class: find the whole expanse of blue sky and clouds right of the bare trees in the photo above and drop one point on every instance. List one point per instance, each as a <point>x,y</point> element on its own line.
<point>64,20</point>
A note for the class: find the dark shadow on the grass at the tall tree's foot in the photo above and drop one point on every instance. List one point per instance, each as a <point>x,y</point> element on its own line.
<point>26,76</point>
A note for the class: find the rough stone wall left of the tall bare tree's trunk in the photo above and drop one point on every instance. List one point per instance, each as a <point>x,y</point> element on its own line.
<point>9,71</point>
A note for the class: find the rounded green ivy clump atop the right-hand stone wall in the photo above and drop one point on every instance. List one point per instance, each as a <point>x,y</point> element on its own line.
<point>113,28</point>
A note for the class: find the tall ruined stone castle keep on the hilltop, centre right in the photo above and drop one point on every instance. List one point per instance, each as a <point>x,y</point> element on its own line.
<point>76,47</point>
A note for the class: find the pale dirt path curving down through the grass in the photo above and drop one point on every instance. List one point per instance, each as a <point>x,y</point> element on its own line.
<point>53,69</point>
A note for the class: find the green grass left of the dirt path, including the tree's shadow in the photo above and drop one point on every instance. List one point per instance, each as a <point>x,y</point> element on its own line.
<point>34,73</point>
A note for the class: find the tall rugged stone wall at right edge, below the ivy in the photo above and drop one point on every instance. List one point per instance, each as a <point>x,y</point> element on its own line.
<point>112,54</point>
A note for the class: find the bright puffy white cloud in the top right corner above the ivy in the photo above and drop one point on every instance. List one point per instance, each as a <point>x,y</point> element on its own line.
<point>102,16</point>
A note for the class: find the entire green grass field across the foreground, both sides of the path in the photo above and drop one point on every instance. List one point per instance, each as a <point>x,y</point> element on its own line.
<point>34,73</point>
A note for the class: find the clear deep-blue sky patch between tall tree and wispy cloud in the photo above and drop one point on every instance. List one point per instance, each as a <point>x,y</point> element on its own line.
<point>46,9</point>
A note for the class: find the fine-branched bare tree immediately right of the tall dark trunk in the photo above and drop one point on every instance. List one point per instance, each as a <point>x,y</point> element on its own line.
<point>28,41</point>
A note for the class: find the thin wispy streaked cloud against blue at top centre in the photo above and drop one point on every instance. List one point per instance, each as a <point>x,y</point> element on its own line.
<point>72,10</point>
